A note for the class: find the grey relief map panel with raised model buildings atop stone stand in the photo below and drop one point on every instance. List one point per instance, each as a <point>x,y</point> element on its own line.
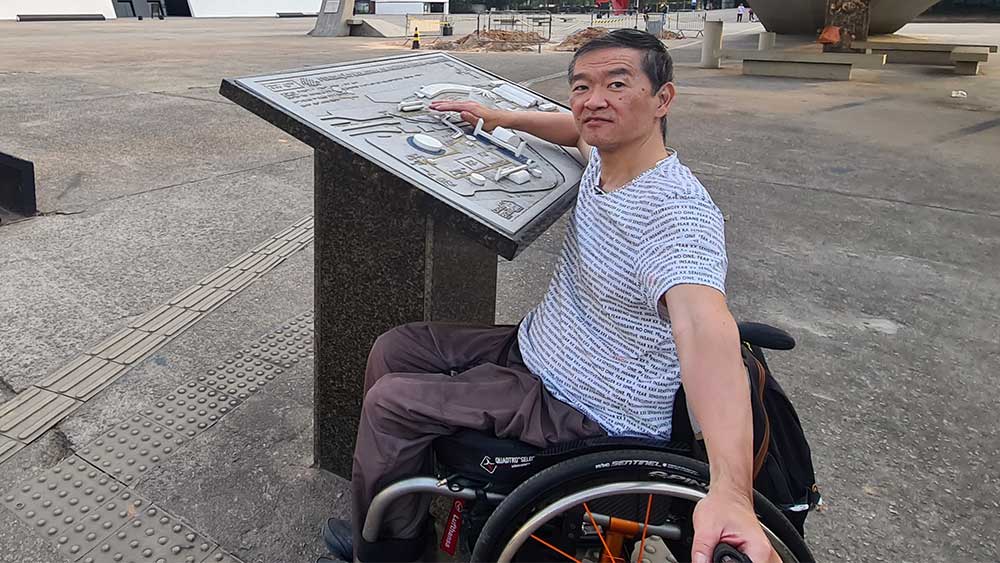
<point>381,109</point>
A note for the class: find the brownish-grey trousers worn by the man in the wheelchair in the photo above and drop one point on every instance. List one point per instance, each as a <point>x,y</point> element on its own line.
<point>426,380</point>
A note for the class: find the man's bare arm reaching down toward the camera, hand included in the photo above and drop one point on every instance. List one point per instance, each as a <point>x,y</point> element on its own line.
<point>718,393</point>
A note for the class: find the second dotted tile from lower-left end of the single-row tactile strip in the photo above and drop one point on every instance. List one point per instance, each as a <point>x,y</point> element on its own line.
<point>191,409</point>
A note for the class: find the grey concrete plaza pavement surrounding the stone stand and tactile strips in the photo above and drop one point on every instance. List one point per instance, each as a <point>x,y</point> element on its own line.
<point>863,217</point>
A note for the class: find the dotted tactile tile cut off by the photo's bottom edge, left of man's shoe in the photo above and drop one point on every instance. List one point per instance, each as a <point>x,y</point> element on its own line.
<point>153,535</point>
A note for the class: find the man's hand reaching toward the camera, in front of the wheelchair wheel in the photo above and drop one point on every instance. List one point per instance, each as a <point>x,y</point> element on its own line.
<point>727,516</point>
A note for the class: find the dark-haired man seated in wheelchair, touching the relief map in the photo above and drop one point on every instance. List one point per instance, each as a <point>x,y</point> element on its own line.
<point>635,307</point>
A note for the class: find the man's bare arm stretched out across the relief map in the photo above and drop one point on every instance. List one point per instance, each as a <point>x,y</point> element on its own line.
<point>556,127</point>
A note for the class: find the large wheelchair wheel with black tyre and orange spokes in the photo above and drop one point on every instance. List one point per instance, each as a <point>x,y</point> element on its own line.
<point>608,505</point>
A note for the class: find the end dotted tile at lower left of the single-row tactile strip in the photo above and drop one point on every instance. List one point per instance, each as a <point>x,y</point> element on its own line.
<point>131,448</point>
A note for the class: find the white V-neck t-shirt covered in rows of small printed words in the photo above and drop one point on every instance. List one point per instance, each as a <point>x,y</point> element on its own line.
<point>598,340</point>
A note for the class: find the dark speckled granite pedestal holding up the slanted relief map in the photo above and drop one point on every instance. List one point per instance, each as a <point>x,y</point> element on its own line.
<point>381,260</point>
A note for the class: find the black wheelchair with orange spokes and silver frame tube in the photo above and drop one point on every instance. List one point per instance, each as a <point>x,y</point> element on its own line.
<point>598,500</point>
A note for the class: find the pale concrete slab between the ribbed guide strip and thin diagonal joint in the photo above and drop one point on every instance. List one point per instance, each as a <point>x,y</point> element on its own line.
<point>70,281</point>
